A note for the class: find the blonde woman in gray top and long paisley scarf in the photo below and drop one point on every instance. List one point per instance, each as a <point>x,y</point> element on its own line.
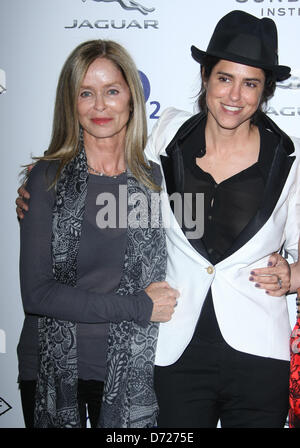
<point>93,289</point>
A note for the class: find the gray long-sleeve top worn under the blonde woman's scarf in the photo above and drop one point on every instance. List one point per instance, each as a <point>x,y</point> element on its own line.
<point>93,302</point>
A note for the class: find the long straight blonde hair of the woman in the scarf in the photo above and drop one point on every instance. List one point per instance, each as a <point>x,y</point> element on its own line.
<point>65,141</point>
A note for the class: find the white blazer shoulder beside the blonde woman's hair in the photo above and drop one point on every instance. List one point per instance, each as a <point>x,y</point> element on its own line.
<point>164,130</point>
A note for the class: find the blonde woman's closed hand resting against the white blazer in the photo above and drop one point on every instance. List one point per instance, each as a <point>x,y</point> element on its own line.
<point>164,300</point>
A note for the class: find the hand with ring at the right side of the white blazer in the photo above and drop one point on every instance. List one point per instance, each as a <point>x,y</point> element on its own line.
<point>275,279</point>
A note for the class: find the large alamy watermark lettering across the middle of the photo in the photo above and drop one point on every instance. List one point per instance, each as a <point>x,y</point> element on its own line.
<point>188,209</point>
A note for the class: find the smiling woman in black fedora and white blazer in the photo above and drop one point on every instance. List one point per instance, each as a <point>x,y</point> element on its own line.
<point>225,354</point>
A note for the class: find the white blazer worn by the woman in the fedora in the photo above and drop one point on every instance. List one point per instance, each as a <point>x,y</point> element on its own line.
<point>249,320</point>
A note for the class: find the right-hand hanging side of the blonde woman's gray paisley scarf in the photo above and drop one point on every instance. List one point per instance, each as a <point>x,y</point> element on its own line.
<point>129,399</point>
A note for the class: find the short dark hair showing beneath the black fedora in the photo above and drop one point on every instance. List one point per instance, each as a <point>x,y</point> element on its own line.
<point>207,66</point>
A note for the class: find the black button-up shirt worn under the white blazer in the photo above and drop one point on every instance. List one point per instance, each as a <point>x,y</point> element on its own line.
<point>228,206</point>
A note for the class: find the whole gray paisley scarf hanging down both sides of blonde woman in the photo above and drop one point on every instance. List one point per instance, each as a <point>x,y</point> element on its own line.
<point>129,400</point>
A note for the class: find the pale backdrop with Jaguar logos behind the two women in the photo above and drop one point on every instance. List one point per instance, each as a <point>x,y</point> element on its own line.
<point>36,36</point>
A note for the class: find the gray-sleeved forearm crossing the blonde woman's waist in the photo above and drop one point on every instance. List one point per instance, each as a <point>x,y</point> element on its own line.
<point>50,298</point>
